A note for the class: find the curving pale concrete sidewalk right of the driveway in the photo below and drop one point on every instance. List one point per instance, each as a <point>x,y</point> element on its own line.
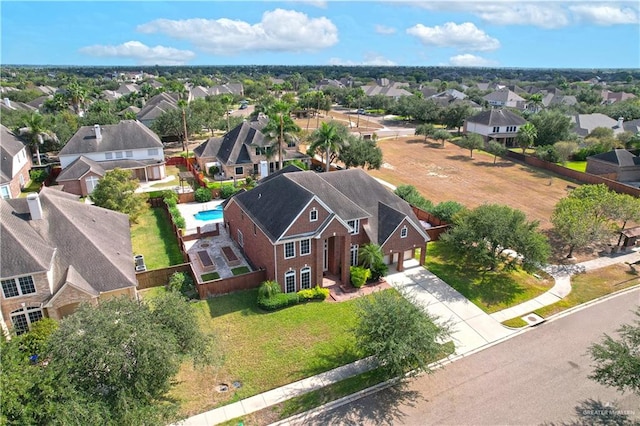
<point>562,287</point>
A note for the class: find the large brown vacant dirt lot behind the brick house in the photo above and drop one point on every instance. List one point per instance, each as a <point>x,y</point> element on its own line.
<point>442,174</point>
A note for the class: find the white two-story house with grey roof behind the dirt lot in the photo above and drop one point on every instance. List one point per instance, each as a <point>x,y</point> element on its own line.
<point>495,124</point>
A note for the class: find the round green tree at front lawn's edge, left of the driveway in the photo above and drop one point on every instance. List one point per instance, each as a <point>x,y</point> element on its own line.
<point>402,337</point>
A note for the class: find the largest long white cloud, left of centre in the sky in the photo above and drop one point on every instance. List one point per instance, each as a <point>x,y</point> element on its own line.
<point>279,30</point>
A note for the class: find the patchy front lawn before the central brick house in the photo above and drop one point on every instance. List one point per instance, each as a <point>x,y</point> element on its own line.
<point>265,350</point>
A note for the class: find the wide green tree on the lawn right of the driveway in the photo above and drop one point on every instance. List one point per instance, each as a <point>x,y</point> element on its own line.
<point>492,235</point>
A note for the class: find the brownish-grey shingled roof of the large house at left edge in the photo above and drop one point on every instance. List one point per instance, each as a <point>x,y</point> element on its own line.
<point>95,241</point>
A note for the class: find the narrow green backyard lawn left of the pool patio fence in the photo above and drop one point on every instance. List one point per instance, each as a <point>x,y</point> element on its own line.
<point>153,237</point>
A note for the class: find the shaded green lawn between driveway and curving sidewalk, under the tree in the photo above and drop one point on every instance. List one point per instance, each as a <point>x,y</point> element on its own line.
<point>491,291</point>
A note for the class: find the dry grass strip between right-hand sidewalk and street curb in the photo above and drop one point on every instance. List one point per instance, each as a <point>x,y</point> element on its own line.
<point>591,285</point>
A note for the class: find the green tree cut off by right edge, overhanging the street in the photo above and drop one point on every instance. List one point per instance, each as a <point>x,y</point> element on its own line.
<point>617,361</point>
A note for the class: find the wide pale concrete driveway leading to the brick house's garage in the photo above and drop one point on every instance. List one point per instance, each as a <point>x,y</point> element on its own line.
<point>472,328</point>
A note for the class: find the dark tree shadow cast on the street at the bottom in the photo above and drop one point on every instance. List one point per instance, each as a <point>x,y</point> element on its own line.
<point>384,407</point>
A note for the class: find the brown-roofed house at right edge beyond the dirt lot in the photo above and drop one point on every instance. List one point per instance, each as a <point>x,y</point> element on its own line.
<point>617,164</point>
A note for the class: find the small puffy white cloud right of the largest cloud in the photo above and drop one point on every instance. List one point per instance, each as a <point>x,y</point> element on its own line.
<point>463,36</point>
